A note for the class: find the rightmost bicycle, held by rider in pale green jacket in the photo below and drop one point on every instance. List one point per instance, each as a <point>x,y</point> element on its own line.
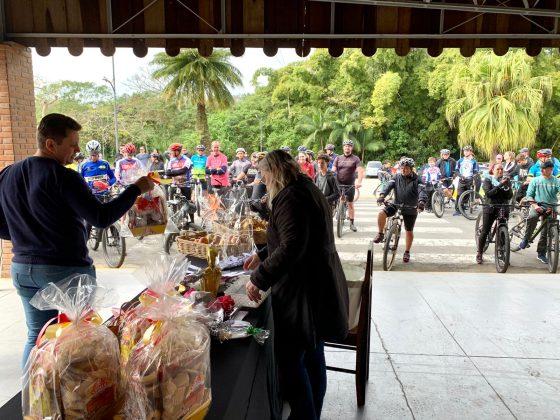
<point>550,222</point>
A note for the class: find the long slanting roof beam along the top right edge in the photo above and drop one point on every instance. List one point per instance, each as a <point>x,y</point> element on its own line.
<point>451,6</point>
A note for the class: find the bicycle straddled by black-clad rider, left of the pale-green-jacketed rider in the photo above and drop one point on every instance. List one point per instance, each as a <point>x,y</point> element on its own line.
<point>499,236</point>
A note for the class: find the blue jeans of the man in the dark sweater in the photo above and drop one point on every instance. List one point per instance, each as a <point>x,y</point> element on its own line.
<point>28,279</point>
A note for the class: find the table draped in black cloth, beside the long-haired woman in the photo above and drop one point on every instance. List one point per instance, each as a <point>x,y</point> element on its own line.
<point>244,378</point>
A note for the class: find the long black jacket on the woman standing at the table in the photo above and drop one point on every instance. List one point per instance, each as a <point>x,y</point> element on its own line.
<point>301,264</point>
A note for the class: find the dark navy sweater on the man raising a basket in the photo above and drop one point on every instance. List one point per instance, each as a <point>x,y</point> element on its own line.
<point>43,206</point>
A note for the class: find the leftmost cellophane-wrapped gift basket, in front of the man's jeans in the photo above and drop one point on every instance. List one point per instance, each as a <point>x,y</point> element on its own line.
<point>73,371</point>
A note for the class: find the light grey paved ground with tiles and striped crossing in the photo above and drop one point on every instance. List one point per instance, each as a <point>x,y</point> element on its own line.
<point>446,343</point>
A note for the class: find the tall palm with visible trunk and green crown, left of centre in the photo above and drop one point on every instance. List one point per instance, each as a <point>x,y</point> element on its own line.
<point>200,81</point>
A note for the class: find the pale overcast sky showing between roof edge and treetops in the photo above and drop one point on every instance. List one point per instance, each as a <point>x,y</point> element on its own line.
<point>92,66</point>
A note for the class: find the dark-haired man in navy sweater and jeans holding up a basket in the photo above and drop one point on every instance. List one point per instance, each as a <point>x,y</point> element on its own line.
<point>43,210</point>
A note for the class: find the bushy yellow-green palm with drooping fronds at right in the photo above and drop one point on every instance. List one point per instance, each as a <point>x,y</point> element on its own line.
<point>496,104</point>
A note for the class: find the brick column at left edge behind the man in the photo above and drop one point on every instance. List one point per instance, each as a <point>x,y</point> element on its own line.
<point>17,117</point>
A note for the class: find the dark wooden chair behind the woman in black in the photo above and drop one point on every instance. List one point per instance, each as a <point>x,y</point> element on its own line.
<point>359,337</point>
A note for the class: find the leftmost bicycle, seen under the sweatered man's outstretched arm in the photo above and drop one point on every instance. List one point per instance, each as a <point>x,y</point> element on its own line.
<point>112,243</point>
